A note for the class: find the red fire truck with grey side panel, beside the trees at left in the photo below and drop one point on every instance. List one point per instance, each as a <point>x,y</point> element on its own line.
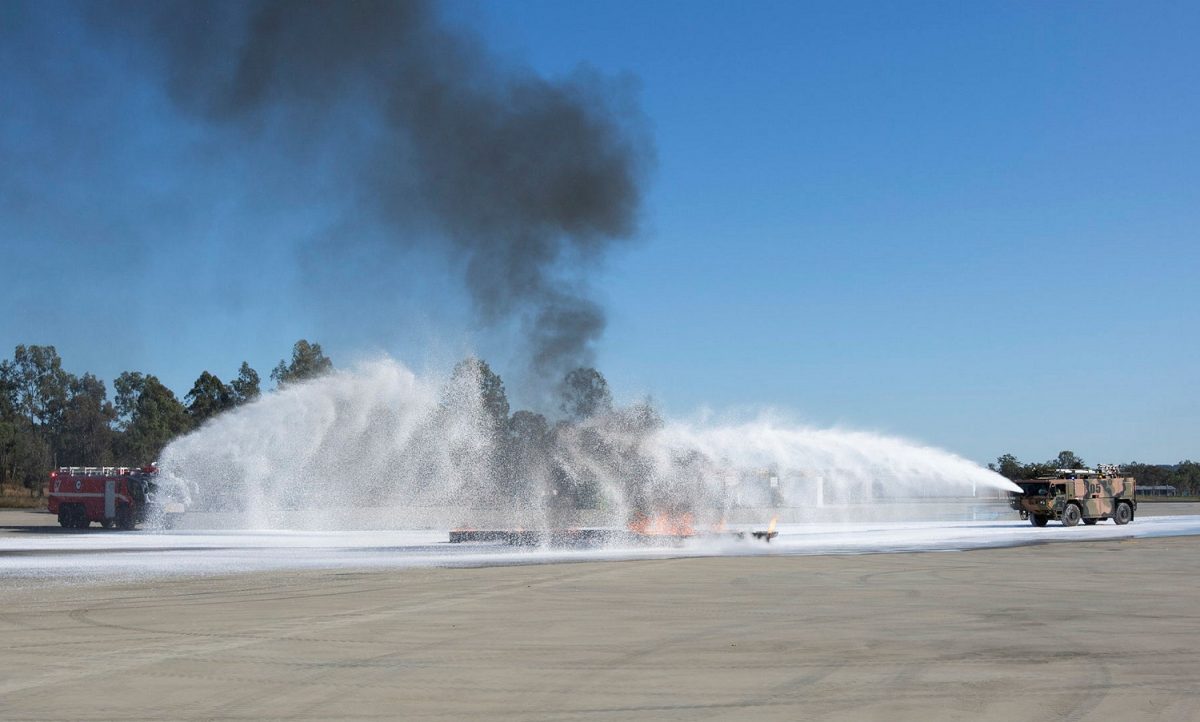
<point>112,496</point>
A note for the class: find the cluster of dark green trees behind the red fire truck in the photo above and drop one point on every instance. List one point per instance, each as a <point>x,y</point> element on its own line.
<point>52,418</point>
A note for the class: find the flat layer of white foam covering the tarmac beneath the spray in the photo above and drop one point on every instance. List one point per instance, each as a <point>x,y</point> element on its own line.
<point>97,555</point>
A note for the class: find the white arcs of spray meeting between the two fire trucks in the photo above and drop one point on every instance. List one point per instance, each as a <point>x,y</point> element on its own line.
<point>409,452</point>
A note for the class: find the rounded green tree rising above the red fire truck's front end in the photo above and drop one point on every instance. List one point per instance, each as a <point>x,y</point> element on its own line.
<point>151,417</point>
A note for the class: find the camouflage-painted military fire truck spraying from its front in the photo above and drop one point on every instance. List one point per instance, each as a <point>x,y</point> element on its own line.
<point>1075,496</point>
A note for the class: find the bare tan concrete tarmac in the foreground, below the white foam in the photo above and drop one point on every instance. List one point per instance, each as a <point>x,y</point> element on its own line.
<point>1066,631</point>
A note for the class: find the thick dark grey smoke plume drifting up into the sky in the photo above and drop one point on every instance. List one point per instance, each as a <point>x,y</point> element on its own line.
<point>530,180</point>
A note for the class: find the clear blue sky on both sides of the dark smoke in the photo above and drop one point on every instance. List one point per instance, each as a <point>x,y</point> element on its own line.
<point>970,225</point>
